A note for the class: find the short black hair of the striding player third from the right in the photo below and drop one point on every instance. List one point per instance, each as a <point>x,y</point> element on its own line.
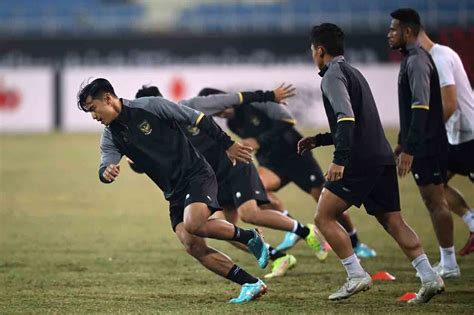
<point>330,36</point>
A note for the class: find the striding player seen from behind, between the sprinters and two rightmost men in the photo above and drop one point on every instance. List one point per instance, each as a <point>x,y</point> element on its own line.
<point>363,167</point>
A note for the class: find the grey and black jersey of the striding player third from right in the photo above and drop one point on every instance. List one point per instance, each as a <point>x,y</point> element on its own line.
<point>347,97</point>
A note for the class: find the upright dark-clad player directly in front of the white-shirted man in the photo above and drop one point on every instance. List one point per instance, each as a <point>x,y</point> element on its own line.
<point>422,142</point>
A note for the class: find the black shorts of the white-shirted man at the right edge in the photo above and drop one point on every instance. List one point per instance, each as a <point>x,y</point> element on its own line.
<point>461,159</point>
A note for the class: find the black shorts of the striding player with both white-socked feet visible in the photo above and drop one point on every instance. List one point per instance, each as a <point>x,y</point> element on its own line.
<point>376,188</point>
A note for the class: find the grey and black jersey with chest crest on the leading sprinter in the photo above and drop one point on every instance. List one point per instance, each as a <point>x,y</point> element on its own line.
<point>147,131</point>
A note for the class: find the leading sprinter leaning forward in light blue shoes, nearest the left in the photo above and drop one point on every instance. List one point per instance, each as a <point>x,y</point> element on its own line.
<point>146,131</point>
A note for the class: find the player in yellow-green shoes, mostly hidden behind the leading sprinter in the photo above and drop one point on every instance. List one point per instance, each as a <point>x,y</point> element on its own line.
<point>239,187</point>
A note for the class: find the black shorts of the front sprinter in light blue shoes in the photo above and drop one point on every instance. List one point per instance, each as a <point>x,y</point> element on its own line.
<point>201,187</point>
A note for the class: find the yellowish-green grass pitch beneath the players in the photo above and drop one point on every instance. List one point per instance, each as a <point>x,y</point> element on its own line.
<point>69,244</point>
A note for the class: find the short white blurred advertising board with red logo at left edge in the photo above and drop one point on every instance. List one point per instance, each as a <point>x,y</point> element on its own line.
<point>26,99</point>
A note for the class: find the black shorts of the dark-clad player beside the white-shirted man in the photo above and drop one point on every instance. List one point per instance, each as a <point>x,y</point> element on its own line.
<point>430,170</point>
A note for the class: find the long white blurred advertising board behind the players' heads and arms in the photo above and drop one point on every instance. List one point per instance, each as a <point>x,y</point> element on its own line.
<point>185,81</point>
